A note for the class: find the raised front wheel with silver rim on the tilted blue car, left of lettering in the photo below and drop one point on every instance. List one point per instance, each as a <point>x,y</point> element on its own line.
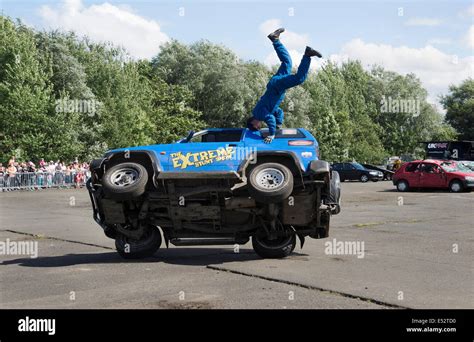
<point>125,181</point>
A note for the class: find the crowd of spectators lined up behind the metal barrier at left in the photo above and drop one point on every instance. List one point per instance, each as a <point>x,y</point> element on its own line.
<point>28,175</point>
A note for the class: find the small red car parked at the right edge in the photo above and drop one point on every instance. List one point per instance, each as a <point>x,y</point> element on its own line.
<point>444,174</point>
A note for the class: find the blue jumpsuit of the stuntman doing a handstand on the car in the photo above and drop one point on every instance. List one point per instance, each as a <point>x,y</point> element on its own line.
<point>267,108</point>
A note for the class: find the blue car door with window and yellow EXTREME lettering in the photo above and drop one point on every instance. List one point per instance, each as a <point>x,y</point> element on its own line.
<point>207,151</point>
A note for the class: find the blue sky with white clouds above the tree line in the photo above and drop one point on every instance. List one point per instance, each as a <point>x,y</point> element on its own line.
<point>434,39</point>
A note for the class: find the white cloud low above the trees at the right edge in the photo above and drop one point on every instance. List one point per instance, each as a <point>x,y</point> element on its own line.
<point>436,69</point>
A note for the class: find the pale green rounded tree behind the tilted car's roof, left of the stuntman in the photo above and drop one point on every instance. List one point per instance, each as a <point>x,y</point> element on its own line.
<point>219,81</point>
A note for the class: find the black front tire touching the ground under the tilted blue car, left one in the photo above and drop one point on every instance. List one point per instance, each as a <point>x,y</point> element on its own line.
<point>146,246</point>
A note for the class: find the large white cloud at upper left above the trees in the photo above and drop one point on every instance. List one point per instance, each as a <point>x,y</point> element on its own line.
<point>107,23</point>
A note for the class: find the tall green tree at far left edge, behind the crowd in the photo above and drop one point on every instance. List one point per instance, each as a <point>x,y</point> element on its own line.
<point>25,96</point>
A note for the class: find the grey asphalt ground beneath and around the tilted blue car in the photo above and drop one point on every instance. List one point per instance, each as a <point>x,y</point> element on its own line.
<point>416,250</point>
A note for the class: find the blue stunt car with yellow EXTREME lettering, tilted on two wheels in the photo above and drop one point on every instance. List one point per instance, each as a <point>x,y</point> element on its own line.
<point>215,187</point>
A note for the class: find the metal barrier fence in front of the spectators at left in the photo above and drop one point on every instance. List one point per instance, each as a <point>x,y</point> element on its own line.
<point>43,180</point>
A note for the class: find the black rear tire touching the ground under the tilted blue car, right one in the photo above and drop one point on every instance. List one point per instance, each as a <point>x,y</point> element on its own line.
<point>274,249</point>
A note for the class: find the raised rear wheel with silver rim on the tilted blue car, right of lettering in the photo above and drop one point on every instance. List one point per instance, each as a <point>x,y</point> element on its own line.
<point>270,182</point>
